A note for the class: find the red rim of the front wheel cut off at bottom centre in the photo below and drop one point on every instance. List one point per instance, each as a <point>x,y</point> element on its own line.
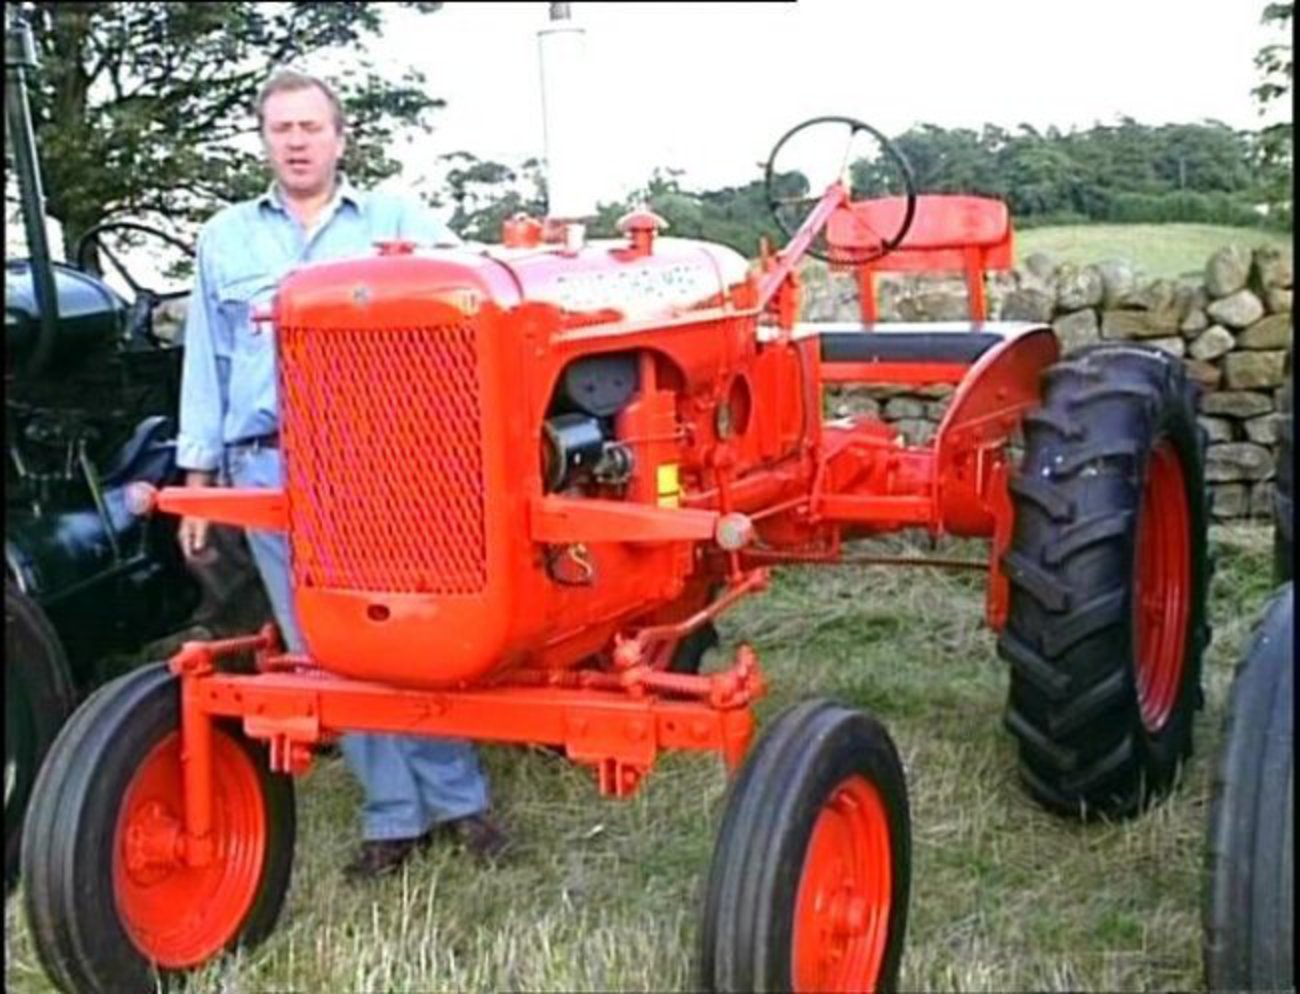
<point>842,915</point>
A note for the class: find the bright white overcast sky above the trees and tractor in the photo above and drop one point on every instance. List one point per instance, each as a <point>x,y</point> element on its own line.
<point>710,88</point>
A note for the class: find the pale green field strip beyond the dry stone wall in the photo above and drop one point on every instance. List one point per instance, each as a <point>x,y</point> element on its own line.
<point>1168,251</point>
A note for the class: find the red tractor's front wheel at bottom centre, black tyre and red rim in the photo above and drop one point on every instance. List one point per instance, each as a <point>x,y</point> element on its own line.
<point>812,870</point>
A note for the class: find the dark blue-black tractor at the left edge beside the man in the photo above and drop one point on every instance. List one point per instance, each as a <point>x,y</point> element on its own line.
<point>90,402</point>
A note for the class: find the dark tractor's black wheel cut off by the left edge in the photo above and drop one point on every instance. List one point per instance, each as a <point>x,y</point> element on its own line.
<point>38,698</point>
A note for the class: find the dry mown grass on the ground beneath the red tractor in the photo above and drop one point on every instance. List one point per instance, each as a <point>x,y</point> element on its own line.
<point>601,895</point>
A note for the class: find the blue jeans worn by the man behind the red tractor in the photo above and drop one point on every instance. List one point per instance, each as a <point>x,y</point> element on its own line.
<point>410,783</point>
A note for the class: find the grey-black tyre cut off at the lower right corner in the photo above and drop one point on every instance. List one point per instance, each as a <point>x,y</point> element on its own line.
<point>1250,909</point>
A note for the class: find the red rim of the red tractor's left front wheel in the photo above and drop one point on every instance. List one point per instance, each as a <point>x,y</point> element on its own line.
<point>180,915</point>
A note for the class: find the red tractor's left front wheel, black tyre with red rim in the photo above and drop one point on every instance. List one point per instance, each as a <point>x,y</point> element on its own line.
<point>111,901</point>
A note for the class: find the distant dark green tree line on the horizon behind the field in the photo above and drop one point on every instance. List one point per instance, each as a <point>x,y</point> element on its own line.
<point>1126,172</point>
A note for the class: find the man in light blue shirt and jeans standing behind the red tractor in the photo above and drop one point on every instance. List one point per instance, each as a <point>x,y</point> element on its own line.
<point>229,428</point>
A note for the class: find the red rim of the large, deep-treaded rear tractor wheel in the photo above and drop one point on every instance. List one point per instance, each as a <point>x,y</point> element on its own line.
<point>1163,588</point>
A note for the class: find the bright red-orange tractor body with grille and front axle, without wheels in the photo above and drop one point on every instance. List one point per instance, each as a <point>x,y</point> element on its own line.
<point>444,592</point>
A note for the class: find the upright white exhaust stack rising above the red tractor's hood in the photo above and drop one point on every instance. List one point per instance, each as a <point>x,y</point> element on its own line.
<point>562,49</point>
